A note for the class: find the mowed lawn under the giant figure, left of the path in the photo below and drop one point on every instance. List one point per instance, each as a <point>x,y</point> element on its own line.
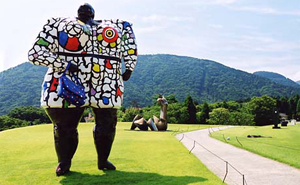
<point>28,156</point>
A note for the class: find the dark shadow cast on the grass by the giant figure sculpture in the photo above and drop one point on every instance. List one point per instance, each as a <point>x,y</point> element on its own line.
<point>122,177</point>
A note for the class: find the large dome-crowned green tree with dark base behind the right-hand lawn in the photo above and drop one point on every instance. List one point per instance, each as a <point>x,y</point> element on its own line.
<point>262,109</point>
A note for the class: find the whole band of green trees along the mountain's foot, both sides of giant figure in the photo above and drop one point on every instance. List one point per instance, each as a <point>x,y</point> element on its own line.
<point>257,111</point>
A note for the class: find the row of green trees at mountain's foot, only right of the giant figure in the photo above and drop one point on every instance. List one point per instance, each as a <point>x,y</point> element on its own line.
<point>257,111</point>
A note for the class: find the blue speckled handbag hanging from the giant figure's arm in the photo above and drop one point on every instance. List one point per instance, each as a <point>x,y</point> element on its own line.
<point>70,91</point>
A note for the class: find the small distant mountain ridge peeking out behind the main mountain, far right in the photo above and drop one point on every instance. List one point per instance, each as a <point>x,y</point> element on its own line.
<point>277,78</point>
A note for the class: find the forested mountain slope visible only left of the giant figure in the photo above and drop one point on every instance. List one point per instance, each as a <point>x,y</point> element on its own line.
<point>20,85</point>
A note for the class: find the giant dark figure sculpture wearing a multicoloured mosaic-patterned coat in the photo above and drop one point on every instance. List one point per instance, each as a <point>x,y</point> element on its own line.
<point>93,50</point>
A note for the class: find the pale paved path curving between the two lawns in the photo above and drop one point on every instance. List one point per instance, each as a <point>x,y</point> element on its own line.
<point>257,170</point>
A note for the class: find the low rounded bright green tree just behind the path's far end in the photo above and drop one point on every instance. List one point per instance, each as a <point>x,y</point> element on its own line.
<point>219,116</point>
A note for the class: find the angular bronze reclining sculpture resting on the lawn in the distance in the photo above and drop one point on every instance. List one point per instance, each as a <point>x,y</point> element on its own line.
<point>157,124</point>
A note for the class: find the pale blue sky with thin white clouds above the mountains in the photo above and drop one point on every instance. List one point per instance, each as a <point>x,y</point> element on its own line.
<point>250,35</point>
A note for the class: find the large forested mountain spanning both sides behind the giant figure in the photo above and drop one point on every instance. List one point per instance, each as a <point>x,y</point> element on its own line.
<point>204,80</point>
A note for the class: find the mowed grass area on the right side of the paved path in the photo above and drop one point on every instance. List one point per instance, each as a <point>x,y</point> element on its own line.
<point>279,144</point>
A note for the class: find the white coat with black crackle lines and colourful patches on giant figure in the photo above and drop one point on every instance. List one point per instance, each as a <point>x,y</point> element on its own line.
<point>97,51</point>
